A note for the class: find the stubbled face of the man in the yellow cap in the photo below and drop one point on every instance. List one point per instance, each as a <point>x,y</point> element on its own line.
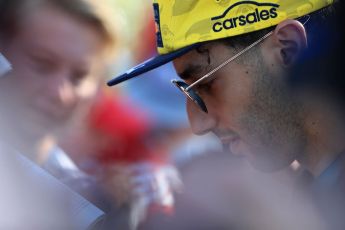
<point>249,106</point>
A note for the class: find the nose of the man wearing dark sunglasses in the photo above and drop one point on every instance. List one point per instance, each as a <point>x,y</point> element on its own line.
<point>201,122</point>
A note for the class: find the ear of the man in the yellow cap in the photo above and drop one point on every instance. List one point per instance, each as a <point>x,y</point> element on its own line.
<point>290,39</point>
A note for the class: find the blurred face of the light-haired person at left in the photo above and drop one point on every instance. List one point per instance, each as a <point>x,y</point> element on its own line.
<point>54,56</point>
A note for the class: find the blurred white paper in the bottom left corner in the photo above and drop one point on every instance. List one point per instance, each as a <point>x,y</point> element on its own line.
<point>33,203</point>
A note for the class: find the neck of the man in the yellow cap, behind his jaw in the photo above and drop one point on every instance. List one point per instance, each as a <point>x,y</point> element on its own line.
<point>325,129</point>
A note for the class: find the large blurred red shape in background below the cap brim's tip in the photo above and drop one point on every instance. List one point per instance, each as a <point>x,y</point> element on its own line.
<point>123,129</point>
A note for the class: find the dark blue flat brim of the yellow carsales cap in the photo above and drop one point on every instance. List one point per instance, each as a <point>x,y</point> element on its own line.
<point>151,64</point>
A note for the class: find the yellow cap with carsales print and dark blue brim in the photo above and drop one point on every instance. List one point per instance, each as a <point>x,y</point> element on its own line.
<point>181,25</point>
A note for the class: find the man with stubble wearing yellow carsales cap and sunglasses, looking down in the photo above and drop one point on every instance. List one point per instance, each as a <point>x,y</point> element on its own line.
<point>234,59</point>
